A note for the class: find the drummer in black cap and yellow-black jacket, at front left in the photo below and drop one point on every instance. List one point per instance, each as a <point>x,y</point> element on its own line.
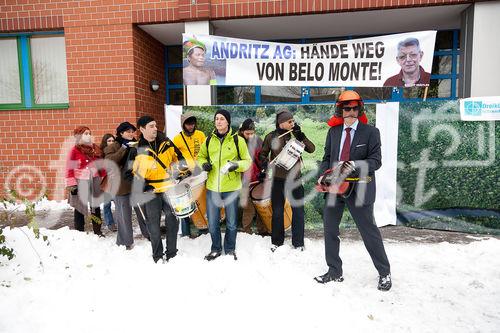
<point>153,168</point>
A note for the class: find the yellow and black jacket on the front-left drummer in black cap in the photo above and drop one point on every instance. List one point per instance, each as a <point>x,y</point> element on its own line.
<point>154,163</point>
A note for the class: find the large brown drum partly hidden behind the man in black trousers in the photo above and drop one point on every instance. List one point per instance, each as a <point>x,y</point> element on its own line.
<point>261,199</point>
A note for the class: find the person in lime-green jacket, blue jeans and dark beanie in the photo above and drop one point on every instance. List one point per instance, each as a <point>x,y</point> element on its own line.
<point>224,155</point>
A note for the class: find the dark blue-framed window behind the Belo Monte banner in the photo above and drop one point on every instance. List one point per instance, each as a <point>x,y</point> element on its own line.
<point>443,85</point>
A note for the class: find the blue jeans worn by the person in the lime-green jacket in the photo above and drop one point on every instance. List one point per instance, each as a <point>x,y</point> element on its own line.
<point>215,200</point>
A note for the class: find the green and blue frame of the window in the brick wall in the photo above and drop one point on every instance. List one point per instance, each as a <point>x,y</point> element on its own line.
<point>27,88</point>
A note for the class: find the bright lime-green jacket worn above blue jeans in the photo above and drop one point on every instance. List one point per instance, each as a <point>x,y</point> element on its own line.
<point>220,153</point>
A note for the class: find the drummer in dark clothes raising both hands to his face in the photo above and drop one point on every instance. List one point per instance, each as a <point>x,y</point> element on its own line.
<point>274,143</point>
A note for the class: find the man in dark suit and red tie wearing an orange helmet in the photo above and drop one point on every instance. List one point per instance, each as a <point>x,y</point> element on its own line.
<point>355,146</point>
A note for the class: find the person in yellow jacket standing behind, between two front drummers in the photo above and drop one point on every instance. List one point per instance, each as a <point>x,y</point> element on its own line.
<point>189,142</point>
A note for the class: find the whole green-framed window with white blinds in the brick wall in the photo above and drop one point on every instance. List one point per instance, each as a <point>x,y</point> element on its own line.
<point>33,72</point>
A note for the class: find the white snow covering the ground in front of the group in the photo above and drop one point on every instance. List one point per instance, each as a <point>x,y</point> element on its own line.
<point>88,284</point>
